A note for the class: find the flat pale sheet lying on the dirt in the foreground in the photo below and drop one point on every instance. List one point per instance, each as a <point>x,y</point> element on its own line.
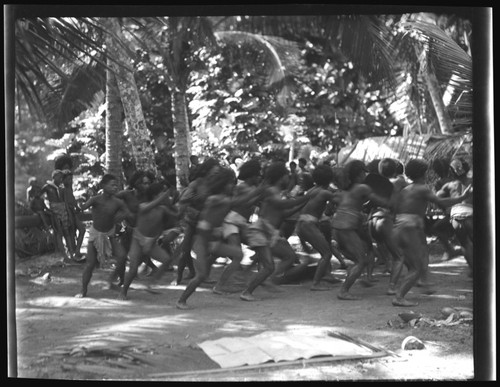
<point>277,346</point>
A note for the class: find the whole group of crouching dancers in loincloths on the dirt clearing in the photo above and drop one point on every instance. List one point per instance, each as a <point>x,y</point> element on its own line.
<point>346,213</point>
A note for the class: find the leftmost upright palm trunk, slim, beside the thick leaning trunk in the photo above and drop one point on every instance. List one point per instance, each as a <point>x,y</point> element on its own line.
<point>114,128</point>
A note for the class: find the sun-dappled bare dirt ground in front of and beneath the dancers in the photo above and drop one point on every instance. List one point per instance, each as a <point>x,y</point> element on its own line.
<point>146,338</point>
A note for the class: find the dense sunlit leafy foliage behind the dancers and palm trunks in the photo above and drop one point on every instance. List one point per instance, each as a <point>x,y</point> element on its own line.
<point>324,102</point>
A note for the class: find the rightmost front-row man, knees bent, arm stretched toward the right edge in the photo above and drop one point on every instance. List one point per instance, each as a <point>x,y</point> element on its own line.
<point>409,233</point>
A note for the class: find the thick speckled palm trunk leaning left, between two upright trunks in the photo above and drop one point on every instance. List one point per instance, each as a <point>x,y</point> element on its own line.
<point>140,139</point>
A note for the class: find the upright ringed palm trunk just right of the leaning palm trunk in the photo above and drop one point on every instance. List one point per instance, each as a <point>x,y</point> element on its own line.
<point>182,138</point>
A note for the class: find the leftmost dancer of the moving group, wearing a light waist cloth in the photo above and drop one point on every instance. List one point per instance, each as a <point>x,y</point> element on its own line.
<point>107,210</point>
